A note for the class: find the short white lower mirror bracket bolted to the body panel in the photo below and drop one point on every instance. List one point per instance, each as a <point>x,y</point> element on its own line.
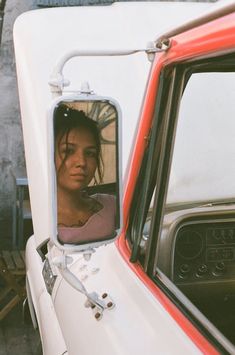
<point>93,301</point>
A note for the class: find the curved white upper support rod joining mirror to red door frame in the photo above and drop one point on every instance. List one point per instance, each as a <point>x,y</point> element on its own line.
<point>58,82</point>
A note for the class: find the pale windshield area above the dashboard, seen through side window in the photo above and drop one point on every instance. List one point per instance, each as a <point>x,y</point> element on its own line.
<point>202,165</point>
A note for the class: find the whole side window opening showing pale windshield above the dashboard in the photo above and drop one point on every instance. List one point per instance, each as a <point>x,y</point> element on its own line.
<point>196,246</point>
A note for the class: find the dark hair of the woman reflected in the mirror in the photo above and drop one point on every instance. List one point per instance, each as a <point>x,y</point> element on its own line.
<point>67,119</point>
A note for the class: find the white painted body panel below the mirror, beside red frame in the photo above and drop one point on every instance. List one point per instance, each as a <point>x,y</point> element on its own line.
<point>137,325</point>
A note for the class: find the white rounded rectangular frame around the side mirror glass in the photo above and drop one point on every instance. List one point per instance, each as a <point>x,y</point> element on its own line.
<point>52,183</point>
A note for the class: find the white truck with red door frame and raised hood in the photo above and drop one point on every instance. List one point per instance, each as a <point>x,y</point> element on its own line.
<point>165,283</point>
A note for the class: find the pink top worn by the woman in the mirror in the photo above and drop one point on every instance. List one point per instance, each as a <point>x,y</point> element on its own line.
<point>100,225</point>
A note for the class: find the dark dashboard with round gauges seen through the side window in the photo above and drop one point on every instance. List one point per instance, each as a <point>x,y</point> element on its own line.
<point>197,252</point>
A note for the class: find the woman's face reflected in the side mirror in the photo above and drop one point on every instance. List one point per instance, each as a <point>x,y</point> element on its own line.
<point>76,159</point>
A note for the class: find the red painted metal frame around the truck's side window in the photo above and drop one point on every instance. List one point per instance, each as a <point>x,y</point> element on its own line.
<point>214,38</point>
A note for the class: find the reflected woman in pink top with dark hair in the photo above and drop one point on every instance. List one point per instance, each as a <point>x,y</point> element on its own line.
<point>78,162</point>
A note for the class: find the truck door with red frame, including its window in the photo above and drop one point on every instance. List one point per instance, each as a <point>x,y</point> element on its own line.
<point>181,209</point>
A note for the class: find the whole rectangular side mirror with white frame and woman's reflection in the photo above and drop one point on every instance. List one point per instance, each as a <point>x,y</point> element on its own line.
<point>86,176</point>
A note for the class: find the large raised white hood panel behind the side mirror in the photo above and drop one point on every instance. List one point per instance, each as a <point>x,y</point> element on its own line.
<point>41,37</point>
